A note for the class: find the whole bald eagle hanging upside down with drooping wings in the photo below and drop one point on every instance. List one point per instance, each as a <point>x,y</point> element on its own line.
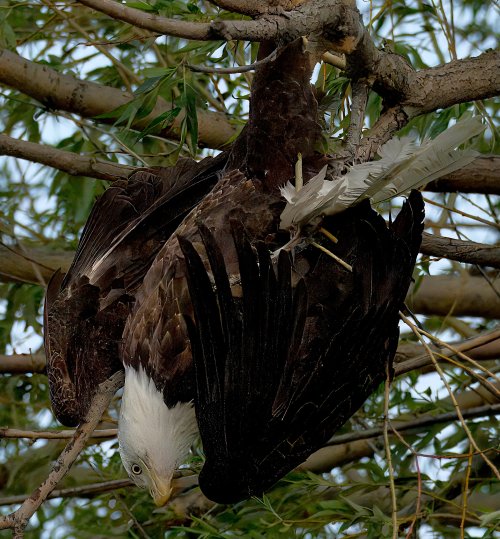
<point>223,326</point>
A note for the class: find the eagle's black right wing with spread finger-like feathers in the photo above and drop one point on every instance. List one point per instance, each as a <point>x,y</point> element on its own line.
<point>277,374</point>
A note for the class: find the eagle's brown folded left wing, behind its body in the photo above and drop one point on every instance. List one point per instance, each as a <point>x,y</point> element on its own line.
<point>85,310</point>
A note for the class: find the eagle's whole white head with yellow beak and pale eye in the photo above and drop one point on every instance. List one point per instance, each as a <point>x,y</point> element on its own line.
<point>154,440</point>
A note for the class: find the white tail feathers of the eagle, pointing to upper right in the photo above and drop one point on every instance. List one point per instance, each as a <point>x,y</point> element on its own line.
<point>403,165</point>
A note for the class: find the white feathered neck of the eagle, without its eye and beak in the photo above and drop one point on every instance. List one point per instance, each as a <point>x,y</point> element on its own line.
<point>145,420</point>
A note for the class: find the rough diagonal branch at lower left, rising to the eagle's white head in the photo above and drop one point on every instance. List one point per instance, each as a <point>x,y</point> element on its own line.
<point>18,520</point>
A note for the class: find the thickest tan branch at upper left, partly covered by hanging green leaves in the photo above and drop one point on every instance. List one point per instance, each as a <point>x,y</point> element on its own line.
<point>89,99</point>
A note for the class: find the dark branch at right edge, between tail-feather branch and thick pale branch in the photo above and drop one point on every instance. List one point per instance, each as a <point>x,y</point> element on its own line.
<point>468,252</point>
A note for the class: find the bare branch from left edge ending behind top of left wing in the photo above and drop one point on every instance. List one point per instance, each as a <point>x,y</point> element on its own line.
<point>72,163</point>
